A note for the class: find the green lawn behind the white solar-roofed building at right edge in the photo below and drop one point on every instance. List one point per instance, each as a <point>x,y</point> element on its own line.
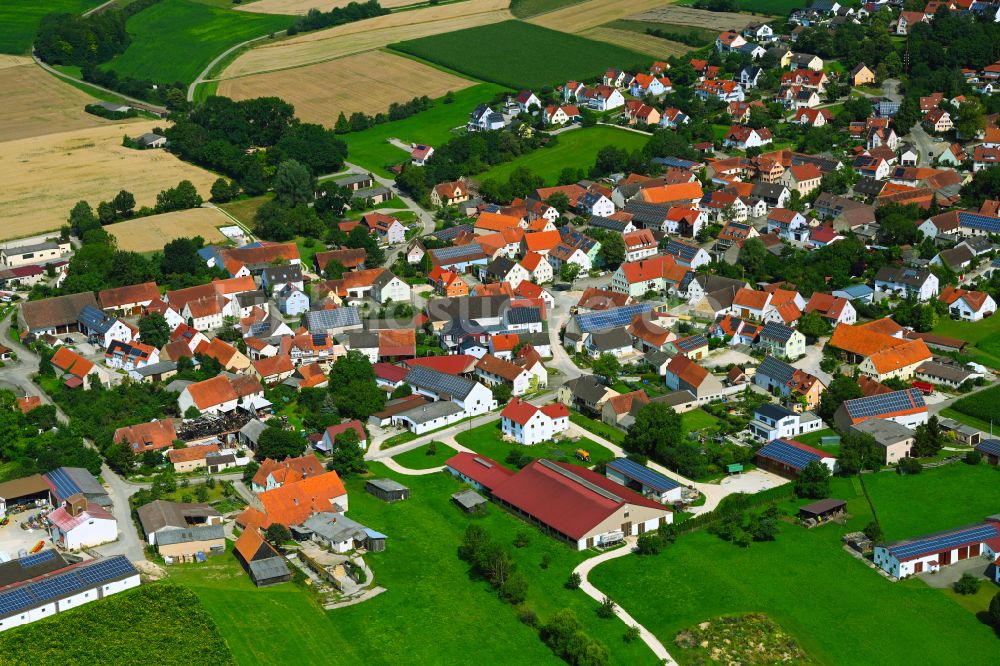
<point>936,499</point>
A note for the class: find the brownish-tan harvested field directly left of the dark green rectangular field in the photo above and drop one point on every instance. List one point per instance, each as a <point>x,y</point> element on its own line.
<point>320,92</point>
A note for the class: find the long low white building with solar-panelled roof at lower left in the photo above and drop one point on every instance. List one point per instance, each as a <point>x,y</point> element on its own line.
<point>43,584</point>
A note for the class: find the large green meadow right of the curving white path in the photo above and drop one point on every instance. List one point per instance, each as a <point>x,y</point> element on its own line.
<point>808,585</point>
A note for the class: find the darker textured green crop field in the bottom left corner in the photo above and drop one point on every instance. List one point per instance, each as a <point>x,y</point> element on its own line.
<point>117,630</point>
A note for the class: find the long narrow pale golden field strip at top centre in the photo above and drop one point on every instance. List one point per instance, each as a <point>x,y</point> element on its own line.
<point>367,35</point>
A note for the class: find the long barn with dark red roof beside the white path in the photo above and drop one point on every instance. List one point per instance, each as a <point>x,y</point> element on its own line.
<point>571,503</point>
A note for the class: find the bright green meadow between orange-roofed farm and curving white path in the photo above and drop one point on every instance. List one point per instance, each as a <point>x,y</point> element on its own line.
<point>430,593</point>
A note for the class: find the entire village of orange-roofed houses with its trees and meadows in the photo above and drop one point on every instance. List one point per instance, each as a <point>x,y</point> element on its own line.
<point>491,379</point>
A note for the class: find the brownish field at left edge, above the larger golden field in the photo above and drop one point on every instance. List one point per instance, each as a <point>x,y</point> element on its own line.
<point>36,102</point>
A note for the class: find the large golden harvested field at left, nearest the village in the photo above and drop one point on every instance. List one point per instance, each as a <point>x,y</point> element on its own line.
<point>44,176</point>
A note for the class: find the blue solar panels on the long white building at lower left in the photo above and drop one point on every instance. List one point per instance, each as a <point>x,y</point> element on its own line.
<point>85,576</point>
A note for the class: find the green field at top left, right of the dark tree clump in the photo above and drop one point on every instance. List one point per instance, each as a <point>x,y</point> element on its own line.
<point>174,40</point>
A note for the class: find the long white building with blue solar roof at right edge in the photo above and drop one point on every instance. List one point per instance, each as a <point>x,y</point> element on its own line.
<point>929,553</point>
